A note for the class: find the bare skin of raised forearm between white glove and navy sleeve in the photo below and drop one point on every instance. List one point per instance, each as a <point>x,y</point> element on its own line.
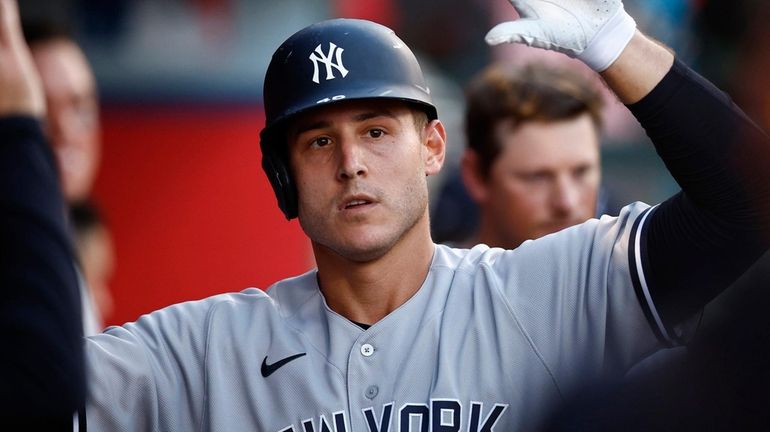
<point>638,69</point>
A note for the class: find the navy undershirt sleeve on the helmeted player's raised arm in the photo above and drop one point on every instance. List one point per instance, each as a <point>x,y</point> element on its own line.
<point>699,241</point>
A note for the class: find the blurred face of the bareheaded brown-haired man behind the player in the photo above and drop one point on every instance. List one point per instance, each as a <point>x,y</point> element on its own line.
<point>545,179</point>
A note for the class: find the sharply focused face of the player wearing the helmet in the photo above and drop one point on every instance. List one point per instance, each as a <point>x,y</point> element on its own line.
<point>361,168</point>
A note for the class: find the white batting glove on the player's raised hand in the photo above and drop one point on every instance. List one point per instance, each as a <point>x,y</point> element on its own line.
<point>593,31</point>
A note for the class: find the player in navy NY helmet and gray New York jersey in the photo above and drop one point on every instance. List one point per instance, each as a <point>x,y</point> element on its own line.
<point>392,332</point>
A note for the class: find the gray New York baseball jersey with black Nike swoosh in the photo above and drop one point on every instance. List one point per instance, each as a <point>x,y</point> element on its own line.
<point>491,340</point>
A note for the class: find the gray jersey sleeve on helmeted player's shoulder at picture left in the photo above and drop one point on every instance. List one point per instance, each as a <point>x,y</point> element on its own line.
<point>149,374</point>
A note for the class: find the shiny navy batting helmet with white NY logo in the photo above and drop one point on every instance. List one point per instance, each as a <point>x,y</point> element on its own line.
<point>327,62</point>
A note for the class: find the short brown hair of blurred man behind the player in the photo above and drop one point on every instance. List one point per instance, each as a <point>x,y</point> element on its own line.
<point>536,92</point>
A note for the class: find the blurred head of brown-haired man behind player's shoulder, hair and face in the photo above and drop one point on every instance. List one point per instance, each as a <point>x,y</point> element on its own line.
<point>532,158</point>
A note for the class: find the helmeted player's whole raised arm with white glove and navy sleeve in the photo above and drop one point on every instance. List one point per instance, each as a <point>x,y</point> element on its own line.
<point>696,243</point>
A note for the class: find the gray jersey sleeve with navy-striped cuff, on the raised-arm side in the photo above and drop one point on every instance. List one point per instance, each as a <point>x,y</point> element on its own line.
<point>573,294</point>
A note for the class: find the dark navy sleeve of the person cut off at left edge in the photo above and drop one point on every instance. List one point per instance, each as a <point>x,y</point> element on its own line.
<point>41,368</point>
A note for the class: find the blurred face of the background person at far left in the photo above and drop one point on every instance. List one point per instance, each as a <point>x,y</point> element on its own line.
<point>73,120</point>
